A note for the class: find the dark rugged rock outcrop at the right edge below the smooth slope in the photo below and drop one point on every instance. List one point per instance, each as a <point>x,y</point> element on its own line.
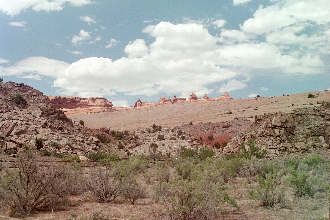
<point>304,130</point>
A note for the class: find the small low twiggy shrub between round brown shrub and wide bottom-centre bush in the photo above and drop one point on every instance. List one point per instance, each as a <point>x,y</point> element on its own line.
<point>131,190</point>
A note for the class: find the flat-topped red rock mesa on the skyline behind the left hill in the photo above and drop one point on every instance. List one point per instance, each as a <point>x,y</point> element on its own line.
<point>75,105</point>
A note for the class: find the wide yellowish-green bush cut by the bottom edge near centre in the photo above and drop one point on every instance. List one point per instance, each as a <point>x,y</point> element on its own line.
<point>193,199</point>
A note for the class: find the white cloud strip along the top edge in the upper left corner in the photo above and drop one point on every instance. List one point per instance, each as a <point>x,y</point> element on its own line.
<point>15,7</point>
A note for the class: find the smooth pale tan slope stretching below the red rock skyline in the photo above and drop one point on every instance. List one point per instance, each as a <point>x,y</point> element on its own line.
<point>171,115</point>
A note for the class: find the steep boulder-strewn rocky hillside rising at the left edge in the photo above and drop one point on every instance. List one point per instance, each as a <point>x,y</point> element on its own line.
<point>27,114</point>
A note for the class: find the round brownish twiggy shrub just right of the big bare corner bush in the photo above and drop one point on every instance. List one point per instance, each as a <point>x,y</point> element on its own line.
<point>103,185</point>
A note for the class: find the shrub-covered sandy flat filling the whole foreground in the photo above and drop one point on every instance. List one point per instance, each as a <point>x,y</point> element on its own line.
<point>194,185</point>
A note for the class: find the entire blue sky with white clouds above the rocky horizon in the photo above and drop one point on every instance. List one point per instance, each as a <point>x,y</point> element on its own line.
<point>128,49</point>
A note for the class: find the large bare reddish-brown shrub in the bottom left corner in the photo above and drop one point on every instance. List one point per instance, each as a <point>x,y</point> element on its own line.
<point>32,187</point>
